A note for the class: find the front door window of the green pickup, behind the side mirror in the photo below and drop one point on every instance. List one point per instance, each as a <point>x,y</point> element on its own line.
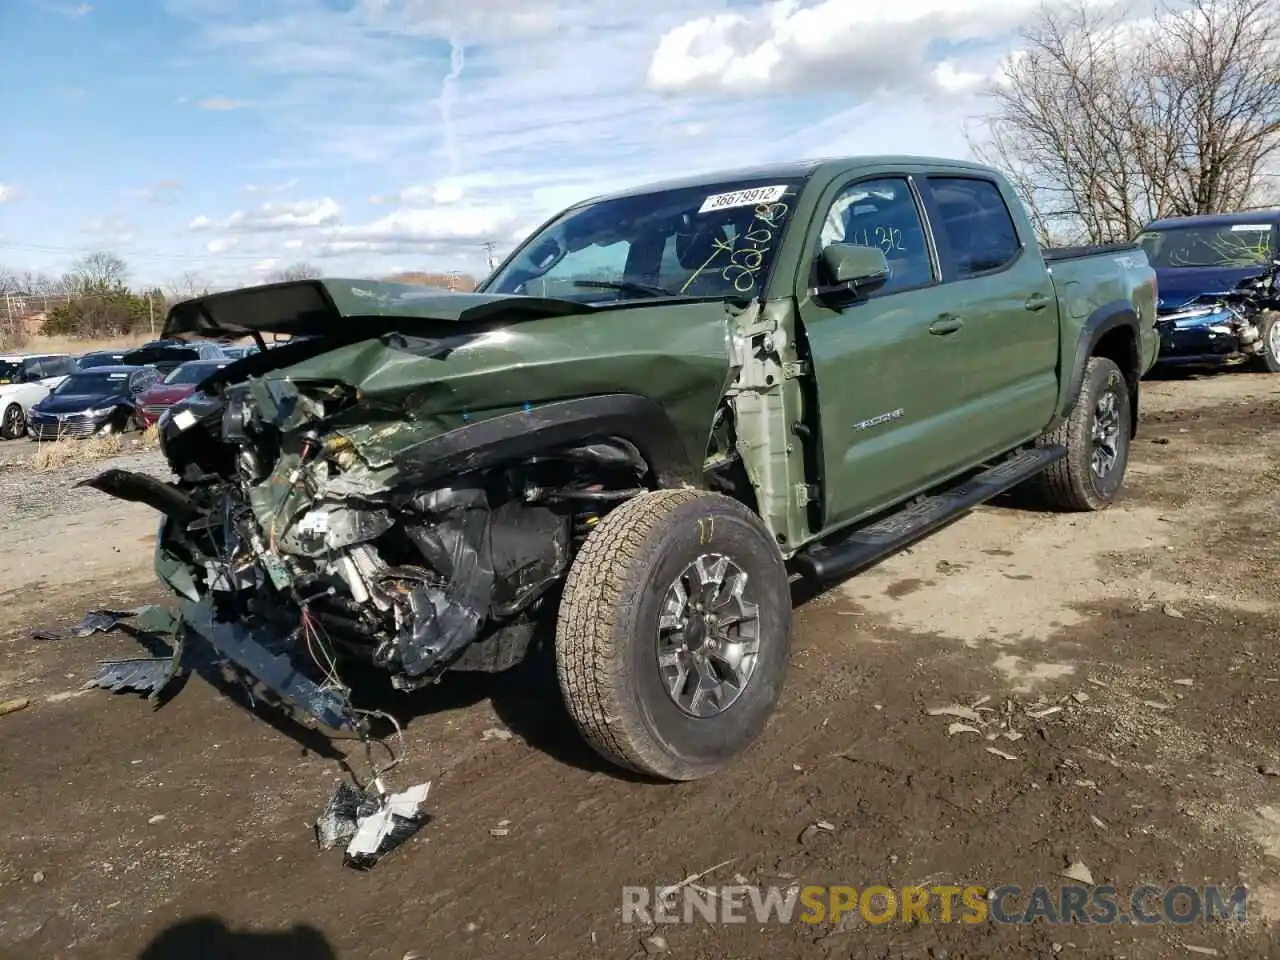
<point>883,214</point>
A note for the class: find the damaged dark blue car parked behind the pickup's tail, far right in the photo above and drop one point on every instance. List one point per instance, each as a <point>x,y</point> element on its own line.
<point>1218,282</point>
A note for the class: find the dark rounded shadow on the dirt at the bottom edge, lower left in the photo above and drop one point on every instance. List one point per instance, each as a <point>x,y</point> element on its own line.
<point>211,939</point>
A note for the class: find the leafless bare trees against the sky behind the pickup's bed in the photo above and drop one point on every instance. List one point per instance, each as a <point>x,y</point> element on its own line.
<point>1105,122</point>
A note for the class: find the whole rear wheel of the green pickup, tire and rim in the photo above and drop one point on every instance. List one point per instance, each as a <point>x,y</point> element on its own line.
<point>1096,435</point>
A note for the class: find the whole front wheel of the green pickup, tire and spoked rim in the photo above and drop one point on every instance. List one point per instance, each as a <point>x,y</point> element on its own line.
<point>674,633</point>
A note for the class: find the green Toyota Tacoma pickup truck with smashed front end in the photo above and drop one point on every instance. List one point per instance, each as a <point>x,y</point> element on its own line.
<point>657,412</point>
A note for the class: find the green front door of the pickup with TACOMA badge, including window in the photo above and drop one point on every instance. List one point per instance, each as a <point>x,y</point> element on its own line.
<point>888,367</point>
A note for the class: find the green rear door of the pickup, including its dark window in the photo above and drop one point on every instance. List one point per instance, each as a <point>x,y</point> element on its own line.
<point>999,286</point>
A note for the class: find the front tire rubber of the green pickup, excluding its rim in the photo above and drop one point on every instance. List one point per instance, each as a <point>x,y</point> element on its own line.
<point>607,633</point>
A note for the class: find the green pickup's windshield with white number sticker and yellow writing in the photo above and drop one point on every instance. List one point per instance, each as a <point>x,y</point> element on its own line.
<point>712,241</point>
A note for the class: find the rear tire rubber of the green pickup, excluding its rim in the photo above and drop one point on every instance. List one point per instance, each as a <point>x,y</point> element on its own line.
<point>1071,484</point>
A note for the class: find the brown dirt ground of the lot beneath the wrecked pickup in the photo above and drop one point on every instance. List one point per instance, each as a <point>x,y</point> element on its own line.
<point>134,831</point>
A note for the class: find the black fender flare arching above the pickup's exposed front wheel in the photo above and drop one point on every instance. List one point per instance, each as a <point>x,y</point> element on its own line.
<point>514,437</point>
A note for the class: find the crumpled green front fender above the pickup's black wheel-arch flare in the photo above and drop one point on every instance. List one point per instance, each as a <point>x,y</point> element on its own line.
<point>404,390</point>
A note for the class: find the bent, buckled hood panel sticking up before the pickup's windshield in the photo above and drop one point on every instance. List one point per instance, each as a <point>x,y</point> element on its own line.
<point>331,308</point>
